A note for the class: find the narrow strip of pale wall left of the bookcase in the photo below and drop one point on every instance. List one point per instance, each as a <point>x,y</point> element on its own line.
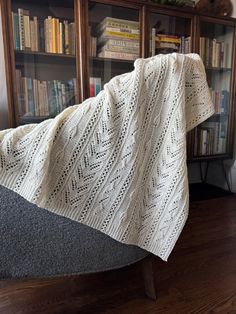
<point>3,87</point>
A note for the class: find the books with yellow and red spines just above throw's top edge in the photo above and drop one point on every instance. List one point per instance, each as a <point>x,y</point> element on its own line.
<point>166,43</point>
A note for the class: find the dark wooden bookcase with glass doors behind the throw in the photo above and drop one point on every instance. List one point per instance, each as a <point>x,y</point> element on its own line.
<point>61,52</point>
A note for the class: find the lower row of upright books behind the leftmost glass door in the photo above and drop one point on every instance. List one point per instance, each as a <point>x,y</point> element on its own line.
<point>44,98</point>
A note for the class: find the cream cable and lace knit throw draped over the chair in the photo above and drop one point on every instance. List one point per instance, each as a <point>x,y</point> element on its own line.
<point>117,162</point>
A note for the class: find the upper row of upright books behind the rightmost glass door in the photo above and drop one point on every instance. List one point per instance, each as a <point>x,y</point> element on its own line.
<point>214,53</point>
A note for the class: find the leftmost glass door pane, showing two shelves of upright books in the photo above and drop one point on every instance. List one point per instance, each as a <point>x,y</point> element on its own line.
<point>44,42</point>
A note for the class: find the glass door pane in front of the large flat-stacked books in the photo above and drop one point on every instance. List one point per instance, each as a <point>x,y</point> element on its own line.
<point>114,42</point>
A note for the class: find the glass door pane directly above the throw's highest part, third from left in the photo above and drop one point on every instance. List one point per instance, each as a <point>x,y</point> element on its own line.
<point>169,34</point>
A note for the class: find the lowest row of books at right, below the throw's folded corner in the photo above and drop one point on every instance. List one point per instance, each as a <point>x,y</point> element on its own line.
<point>211,138</point>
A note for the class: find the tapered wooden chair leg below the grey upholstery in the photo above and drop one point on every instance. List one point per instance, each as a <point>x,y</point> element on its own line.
<point>149,277</point>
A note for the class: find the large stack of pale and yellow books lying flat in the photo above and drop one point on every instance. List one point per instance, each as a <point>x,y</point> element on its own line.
<point>118,39</point>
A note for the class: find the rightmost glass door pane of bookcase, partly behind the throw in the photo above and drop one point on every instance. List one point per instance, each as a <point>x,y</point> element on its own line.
<point>216,51</point>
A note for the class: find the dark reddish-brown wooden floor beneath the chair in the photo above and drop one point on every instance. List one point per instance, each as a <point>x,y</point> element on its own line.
<point>200,276</point>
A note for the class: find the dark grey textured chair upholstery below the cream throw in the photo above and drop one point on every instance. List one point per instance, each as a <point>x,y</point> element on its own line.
<point>37,243</point>
